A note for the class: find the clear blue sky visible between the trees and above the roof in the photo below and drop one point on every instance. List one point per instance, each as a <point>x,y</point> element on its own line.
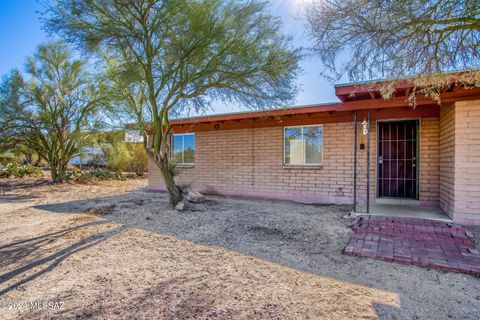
<point>20,33</point>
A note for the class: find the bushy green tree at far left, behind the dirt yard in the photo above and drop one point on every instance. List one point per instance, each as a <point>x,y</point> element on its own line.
<point>49,108</point>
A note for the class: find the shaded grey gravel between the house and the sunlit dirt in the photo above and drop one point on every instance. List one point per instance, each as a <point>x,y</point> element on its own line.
<point>303,237</point>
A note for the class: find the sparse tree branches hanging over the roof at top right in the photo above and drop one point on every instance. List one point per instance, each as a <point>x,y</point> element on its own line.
<point>365,39</point>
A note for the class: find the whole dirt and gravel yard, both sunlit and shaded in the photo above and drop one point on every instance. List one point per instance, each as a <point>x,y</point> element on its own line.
<point>115,250</point>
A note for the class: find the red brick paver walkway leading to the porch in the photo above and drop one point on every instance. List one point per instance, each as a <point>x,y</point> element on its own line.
<point>420,242</point>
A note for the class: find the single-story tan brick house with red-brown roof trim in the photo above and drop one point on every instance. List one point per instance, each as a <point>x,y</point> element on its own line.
<point>359,151</point>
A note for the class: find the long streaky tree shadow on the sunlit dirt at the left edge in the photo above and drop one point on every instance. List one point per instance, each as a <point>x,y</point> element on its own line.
<point>14,253</point>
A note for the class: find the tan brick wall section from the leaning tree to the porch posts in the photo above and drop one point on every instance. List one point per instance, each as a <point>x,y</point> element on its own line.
<point>250,162</point>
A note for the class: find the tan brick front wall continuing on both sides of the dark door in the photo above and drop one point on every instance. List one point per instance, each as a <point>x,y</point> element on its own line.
<point>249,162</point>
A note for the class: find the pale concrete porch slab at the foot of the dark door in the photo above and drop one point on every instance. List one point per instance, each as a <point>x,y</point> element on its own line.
<point>409,210</point>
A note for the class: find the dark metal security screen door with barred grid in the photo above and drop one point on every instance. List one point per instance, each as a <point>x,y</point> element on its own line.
<point>397,159</point>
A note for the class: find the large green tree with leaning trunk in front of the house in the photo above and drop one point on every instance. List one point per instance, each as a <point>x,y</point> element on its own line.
<point>185,53</point>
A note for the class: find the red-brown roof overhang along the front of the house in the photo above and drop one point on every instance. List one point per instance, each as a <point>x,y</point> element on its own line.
<point>330,112</point>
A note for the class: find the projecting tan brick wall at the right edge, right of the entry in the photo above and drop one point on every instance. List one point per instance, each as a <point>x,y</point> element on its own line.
<point>460,161</point>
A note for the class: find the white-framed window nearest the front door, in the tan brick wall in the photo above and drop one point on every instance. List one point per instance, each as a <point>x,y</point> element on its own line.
<point>303,145</point>
